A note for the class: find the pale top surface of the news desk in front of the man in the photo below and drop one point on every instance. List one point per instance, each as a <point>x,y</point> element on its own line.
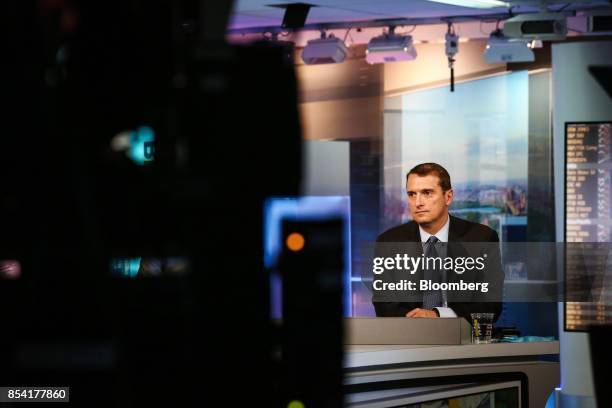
<point>375,355</point>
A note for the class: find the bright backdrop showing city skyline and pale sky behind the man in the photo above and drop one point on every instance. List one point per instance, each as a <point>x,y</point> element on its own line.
<point>479,133</point>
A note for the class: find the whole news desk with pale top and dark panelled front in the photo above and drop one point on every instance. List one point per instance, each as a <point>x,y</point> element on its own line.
<point>377,375</point>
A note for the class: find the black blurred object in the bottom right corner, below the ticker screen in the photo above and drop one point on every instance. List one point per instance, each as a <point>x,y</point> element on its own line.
<point>600,338</point>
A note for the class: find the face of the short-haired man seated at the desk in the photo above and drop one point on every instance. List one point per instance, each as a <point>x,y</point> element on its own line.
<point>427,202</point>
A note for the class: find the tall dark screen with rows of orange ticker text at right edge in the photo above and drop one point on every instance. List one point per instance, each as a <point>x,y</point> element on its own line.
<point>588,224</point>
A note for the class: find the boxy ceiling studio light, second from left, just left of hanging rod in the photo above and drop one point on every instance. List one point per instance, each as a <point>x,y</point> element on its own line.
<point>390,47</point>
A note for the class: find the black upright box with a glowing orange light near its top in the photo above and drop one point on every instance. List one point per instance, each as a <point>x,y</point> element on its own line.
<point>311,265</point>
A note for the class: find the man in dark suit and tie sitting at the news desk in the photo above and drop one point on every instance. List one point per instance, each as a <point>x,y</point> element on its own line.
<point>430,194</point>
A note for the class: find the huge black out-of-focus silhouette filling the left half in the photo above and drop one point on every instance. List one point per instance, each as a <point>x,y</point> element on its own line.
<point>72,203</point>
